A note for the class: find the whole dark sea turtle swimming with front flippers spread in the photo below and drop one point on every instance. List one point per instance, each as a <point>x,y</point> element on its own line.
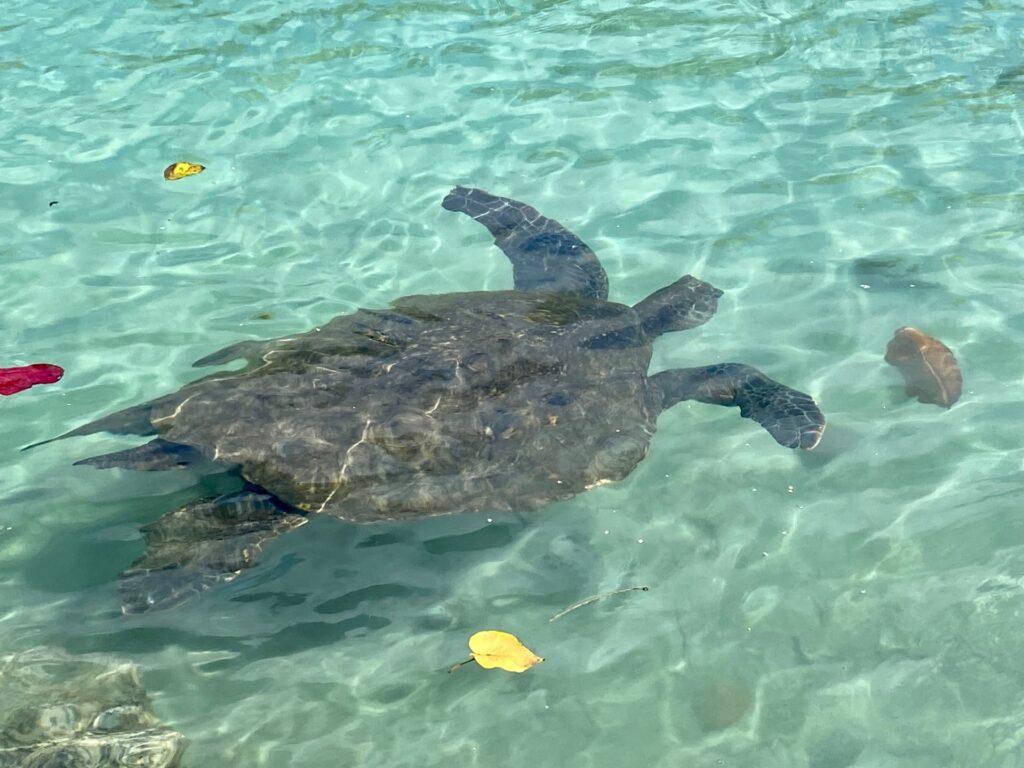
<point>483,401</point>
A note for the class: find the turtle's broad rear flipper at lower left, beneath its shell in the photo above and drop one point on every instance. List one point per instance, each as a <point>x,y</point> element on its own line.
<point>200,545</point>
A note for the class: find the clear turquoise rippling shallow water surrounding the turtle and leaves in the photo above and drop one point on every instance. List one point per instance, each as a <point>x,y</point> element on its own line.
<point>839,169</point>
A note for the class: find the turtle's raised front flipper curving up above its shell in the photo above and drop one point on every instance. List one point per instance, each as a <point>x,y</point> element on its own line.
<point>545,255</point>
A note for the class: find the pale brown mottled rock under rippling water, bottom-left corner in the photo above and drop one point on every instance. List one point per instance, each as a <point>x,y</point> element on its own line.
<point>89,712</point>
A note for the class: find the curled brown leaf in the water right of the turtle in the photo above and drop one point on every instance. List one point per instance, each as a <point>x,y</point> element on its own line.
<point>928,367</point>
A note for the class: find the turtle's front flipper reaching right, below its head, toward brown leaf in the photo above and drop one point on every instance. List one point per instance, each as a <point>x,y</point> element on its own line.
<point>791,417</point>
